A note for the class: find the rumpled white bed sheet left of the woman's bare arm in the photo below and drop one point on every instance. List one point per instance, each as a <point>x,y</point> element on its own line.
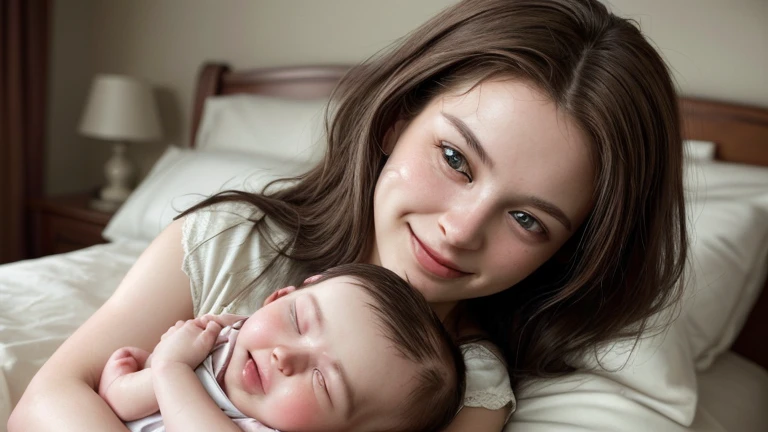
<point>44,300</point>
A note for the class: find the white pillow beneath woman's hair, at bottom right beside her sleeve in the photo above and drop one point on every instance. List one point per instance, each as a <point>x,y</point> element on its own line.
<point>652,382</point>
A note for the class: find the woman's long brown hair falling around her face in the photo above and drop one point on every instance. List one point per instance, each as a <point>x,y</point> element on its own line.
<point>622,266</point>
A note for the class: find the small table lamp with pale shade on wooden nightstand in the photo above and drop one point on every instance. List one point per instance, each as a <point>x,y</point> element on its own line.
<point>120,109</point>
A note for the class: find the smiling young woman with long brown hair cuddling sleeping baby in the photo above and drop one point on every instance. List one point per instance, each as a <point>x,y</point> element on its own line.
<point>518,161</point>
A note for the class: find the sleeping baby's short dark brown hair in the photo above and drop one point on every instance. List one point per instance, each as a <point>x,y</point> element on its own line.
<point>417,333</point>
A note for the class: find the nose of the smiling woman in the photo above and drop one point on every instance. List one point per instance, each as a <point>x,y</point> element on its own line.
<point>464,226</point>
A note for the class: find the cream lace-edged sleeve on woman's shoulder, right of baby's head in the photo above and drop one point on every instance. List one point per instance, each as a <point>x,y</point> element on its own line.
<point>487,384</point>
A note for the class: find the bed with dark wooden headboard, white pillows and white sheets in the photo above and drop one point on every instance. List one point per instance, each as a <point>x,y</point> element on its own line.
<point>707,373</point>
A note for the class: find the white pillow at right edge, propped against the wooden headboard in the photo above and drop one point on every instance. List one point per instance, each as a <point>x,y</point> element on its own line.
<point>727,207</point>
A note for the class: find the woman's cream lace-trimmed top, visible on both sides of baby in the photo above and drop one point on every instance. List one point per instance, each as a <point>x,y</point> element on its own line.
<point>222,254</point>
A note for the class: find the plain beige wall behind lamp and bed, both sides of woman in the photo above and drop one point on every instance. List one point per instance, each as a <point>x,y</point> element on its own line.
<point>716,49</point>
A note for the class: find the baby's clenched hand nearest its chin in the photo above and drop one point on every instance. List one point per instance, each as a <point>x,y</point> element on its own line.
<point>186,342</point>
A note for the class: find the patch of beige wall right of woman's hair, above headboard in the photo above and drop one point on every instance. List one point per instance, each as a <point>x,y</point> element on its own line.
<point>716,48</point>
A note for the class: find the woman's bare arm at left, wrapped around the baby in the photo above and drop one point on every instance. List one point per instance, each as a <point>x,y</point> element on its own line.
<point>153,295</point>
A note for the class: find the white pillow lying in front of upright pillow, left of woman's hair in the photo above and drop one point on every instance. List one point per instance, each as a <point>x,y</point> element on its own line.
<point>183,177</point>
